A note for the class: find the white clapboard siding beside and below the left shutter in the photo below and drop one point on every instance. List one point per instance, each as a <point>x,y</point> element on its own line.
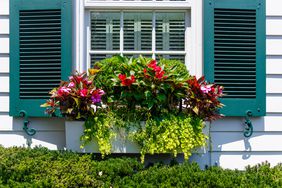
<point>50,131</point>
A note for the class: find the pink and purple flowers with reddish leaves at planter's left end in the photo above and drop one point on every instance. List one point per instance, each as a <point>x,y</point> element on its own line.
<point>74,97</point>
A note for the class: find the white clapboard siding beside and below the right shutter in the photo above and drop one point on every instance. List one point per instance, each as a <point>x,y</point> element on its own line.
<point>229,147</point>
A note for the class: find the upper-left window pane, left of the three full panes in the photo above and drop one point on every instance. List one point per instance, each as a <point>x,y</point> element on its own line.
<point>105,31</point>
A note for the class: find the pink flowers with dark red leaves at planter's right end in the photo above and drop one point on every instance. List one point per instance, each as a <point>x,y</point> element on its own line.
<point>203,98</point>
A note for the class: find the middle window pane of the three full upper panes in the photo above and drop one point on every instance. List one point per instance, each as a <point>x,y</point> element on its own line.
<point>137,31</point>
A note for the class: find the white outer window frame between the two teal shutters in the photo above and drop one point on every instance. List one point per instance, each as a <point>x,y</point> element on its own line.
<point>193,34</point>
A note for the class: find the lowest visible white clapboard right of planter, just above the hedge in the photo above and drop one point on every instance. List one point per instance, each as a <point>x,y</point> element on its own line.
<point>239,160</point>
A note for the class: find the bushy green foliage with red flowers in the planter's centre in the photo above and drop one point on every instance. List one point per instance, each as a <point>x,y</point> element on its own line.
<point>141,82</point>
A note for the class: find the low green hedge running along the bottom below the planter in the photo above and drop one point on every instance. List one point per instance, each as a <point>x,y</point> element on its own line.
<point>39,167</point>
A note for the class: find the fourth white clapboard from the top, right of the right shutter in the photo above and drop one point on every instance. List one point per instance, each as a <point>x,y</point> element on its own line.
<point>274,65</point>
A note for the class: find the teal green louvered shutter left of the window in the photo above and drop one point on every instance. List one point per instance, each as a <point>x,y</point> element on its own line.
<point>40,52</point>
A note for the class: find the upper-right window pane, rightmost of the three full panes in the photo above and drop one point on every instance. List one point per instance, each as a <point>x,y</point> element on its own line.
<point>170,31</point>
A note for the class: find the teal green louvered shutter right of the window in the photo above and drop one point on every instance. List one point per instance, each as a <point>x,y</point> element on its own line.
<point>234,53</point>
